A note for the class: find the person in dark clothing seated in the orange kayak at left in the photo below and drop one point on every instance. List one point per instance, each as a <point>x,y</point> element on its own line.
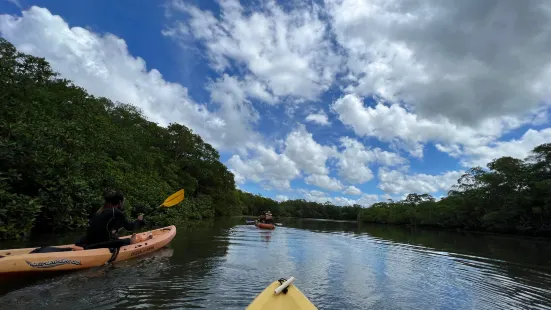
<point>107,221</point>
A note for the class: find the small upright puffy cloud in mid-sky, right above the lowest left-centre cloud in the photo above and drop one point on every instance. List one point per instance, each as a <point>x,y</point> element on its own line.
<point>307,153</point>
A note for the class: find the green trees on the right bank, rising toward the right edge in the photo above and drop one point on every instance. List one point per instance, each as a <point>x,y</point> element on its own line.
<point>512,195</point>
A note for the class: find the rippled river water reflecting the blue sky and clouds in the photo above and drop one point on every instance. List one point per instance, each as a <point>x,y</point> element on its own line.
<point>337,265</point>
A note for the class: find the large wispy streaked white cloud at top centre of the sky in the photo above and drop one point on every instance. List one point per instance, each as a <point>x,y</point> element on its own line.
<point>285,50</point>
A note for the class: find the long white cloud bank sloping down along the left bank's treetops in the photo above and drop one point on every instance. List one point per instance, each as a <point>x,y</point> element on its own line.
<point>102,65</point>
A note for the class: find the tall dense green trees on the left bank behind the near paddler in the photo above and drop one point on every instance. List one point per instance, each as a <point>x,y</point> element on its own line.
<point>60,148</point>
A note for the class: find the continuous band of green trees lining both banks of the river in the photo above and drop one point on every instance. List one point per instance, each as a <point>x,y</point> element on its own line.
<point>61,147</point>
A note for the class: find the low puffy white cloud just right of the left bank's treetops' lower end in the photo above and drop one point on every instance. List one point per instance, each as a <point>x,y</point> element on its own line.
<point>264,166</point>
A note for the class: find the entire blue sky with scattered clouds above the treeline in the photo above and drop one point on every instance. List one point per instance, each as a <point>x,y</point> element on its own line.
<point>343,101</point>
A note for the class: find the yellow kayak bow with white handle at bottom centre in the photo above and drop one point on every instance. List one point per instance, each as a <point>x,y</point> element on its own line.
<point>282,295</point>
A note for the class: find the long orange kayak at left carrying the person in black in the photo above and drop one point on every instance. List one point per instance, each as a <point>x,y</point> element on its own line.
<point>16,261</point>
